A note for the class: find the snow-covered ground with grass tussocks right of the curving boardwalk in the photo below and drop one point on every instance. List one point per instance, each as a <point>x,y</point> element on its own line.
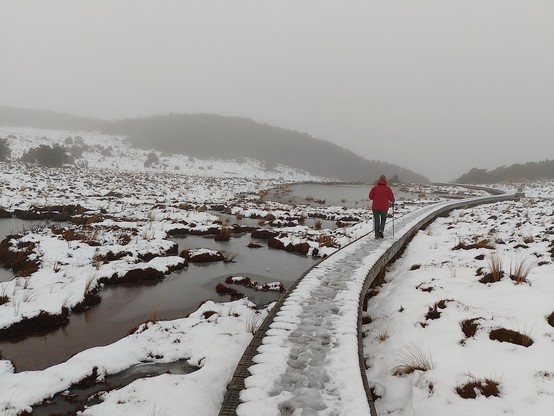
<point>433,293</point>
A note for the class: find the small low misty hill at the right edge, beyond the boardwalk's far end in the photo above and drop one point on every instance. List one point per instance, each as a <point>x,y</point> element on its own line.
<point>515,173</point>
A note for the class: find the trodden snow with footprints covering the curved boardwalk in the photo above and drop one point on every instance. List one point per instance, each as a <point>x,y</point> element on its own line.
<point>308,362</point>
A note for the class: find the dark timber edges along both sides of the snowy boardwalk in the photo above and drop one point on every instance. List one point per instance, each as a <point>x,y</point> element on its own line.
<point>232,396</point>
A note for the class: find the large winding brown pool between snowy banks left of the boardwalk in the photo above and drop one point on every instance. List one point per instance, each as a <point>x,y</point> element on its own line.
<point>124,307</point>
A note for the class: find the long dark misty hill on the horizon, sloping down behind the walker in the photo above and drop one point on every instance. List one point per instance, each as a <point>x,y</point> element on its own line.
<point>204,136</point>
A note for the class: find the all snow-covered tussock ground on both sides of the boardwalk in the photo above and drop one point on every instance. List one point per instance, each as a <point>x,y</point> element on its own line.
<point>131,209</point>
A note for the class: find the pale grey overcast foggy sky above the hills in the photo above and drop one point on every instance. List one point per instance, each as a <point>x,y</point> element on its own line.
<point>436,86</point>
